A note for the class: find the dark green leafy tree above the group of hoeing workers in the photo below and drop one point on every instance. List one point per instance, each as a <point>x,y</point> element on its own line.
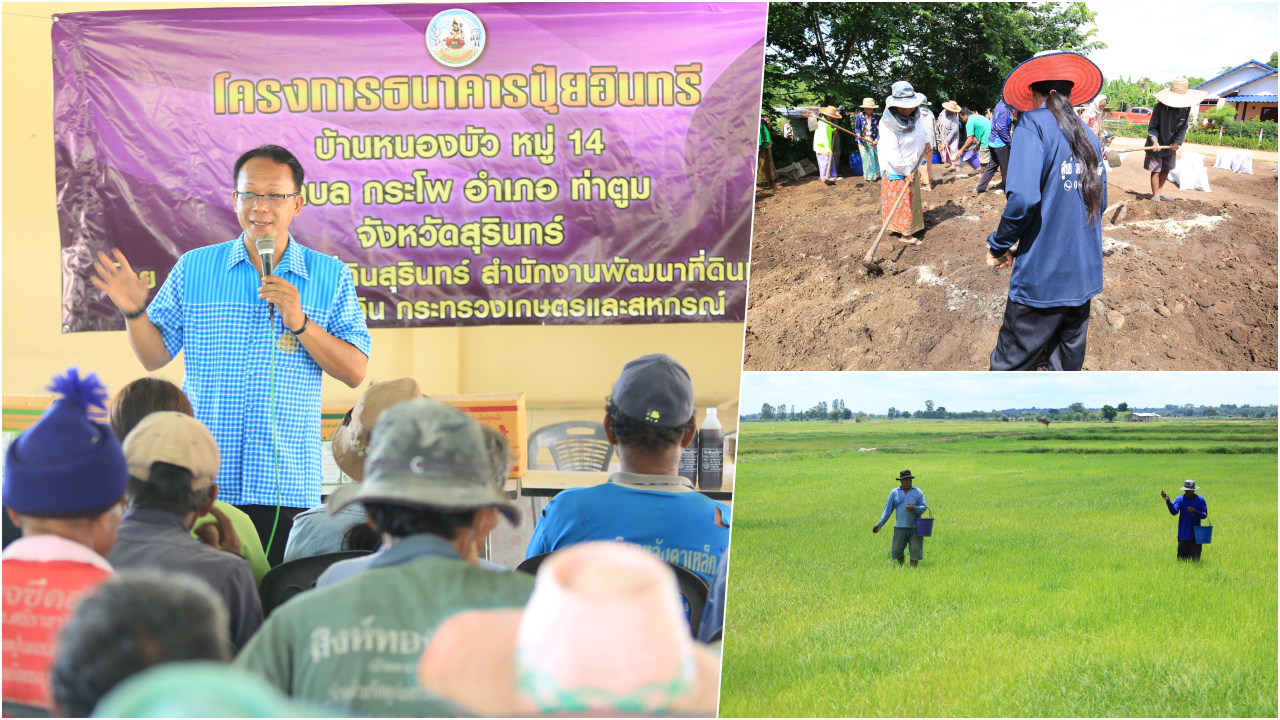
<point>839,53</point>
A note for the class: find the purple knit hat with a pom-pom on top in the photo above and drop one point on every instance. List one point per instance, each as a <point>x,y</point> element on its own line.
<point>66,464</point>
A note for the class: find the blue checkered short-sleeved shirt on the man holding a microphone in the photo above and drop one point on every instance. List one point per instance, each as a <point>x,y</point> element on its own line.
<point>209,308</point>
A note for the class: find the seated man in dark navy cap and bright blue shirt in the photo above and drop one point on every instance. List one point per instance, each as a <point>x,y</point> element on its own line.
<point>650,418</point>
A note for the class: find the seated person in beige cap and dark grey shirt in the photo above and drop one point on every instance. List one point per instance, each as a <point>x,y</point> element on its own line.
<point>173,461</point>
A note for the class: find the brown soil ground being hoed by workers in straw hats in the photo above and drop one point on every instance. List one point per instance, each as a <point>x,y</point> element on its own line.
<point>1188,285</point>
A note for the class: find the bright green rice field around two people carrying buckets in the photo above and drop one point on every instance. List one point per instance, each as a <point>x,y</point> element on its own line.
<point>1050,586</point>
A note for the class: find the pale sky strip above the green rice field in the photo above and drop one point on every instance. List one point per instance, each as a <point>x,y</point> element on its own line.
<point>961,393</point>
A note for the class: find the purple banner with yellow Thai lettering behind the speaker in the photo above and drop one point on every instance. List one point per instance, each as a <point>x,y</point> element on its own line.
<point>472,165</point>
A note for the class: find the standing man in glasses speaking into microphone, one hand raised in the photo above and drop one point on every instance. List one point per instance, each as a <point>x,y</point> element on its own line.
<point>255,343</point>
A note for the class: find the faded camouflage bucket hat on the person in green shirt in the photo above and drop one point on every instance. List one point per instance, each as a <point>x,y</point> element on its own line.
<point>427,454</point>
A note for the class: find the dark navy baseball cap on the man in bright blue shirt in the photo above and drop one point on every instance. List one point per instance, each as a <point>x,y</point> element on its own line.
<point>656,390</point>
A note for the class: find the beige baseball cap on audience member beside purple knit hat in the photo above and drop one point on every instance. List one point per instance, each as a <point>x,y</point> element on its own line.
<point>176,439</point>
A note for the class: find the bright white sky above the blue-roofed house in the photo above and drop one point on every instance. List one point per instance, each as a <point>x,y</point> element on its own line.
<point>1186,39</point>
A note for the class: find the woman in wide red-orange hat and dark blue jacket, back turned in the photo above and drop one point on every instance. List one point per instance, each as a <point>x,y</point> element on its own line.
<point>1057,190</point>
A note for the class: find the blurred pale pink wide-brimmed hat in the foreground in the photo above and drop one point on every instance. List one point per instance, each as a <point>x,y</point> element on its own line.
<point>604,634</point>
